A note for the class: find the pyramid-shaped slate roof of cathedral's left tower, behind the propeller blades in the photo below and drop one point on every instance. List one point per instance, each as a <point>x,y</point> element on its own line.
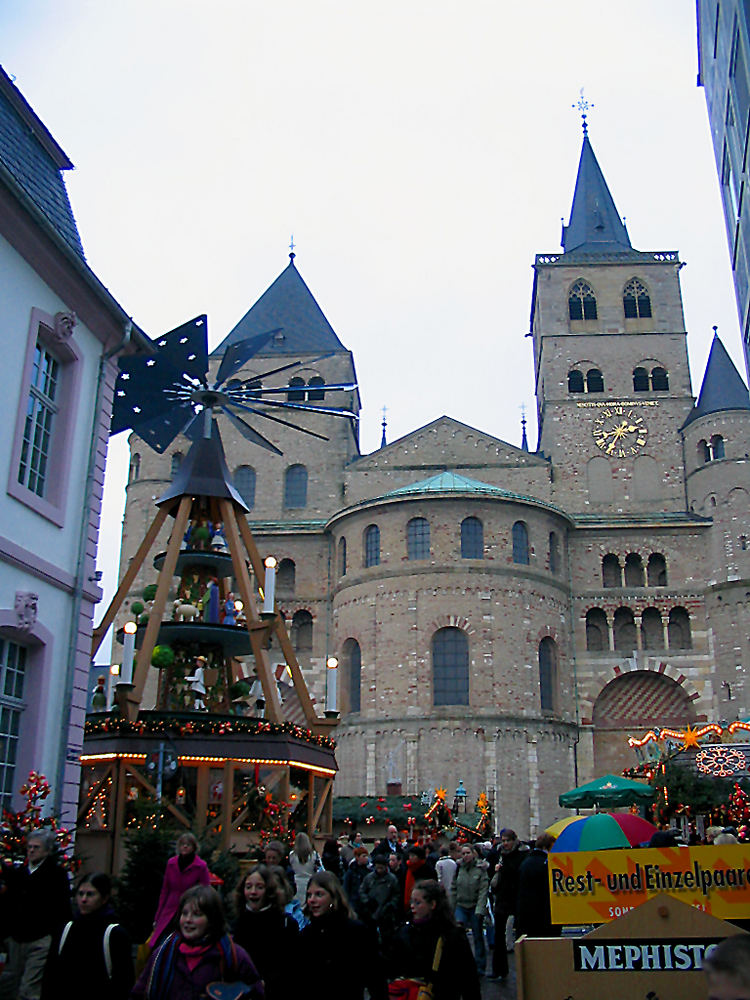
<point>288,303</point>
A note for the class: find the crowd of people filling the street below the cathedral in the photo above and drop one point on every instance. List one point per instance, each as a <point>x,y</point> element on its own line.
<point>336,925</point>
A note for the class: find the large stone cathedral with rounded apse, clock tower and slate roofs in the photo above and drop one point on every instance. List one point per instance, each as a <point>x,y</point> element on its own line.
<point>502,616</point>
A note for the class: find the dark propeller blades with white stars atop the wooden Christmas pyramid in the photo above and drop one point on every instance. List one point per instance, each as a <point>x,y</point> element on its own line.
<point>167,393</point>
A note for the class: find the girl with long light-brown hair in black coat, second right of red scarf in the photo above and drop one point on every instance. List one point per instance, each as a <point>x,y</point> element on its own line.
<point>339,955</point>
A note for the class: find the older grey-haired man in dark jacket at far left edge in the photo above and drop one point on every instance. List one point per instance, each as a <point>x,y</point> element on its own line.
<point>36,896</point>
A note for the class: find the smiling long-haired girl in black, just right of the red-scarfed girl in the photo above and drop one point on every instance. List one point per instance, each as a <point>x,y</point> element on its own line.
<point>265,931</point>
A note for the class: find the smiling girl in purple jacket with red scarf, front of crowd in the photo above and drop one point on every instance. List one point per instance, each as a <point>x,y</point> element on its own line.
<point>199,953</point>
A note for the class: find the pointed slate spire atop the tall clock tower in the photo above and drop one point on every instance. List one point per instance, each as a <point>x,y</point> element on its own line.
<point>595,225</point>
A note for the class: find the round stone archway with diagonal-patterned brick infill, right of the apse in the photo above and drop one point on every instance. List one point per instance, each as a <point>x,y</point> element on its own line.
<point>631,704</point>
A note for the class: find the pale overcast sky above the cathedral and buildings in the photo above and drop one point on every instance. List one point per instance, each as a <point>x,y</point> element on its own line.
<point>420,152</point>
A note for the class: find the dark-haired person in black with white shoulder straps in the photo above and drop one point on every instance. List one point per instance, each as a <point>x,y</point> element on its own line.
<point>93,954</point>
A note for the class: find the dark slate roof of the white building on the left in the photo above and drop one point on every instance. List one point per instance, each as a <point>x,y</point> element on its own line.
<point>35,161</point>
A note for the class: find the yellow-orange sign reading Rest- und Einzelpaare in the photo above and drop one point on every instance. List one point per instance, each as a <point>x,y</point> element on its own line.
<point>593,887</point>
